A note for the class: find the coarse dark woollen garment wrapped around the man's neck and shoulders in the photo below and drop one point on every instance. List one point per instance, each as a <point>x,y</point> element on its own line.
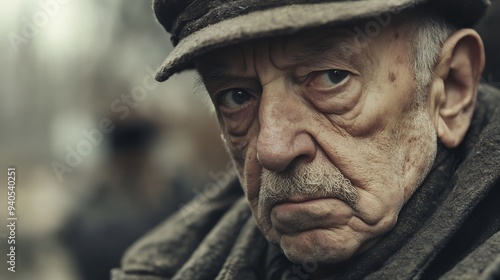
<point>449,229</point>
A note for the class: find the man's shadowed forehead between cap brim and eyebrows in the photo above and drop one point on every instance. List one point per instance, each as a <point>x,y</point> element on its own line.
<point>338,41</point>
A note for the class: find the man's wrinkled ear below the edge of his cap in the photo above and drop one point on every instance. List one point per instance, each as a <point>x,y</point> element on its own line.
<point>454,89</point>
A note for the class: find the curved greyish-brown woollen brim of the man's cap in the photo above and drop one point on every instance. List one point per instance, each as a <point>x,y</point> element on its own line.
<point>276,21</point>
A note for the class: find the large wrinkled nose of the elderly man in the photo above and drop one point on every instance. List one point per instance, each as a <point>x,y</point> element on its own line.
<point>284,136</point>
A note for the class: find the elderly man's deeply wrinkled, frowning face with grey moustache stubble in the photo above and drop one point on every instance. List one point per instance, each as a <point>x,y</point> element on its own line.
<point>325,134</point>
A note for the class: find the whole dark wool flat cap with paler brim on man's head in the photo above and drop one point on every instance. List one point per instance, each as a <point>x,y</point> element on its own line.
<point>199,26</point>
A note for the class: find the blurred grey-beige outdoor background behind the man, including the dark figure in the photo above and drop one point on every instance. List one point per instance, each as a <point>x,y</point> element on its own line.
<point>103,153</point>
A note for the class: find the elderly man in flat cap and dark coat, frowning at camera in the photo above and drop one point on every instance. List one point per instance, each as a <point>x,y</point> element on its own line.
<point>364,143</point>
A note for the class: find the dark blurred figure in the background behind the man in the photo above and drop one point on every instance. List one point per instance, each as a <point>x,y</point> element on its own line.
<point>129,198</point>
